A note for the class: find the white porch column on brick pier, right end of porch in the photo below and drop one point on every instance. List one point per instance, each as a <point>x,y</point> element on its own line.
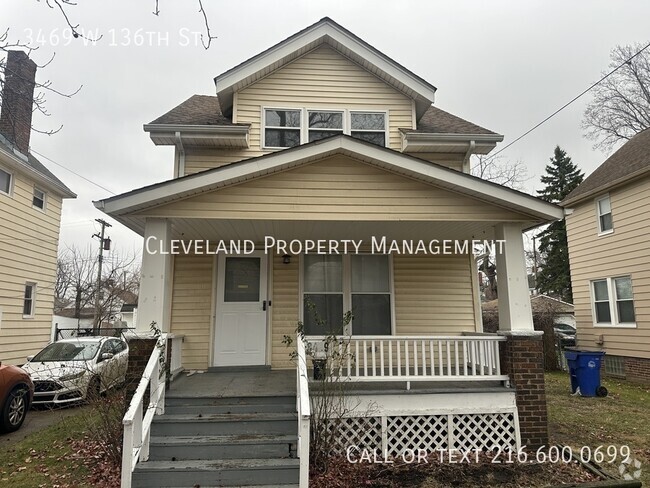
<point>512,281</point>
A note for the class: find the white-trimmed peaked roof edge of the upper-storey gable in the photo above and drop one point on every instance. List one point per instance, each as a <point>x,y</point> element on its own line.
<point>325,31</point>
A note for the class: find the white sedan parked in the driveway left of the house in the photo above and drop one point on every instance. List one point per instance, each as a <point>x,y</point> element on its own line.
<point>73,370</point>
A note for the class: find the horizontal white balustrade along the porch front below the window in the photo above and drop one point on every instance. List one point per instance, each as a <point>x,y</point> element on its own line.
<point>417,358</point>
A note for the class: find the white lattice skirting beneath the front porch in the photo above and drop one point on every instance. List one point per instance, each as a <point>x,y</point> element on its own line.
<point>395,435</point>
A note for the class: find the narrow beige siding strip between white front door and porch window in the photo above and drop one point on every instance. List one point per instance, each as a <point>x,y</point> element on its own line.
<point>284,310</point>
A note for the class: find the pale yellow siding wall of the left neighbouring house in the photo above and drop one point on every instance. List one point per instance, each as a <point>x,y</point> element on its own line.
<point>28,252</point>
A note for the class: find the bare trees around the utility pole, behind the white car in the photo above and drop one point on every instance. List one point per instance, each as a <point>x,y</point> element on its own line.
<point>76,282</point>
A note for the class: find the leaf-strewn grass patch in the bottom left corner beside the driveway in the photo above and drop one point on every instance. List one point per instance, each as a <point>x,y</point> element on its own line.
<point>47,458</point>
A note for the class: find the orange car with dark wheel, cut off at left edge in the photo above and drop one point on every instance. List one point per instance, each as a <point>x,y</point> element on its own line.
<point>16,393</point>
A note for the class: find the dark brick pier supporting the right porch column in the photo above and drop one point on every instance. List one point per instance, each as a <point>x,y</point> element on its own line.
<point>522,359</point>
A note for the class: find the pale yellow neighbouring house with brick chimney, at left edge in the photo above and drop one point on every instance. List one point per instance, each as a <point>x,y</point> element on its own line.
<point>30,216</point>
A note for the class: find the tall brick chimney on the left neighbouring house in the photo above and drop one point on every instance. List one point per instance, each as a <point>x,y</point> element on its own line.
<point>18,99</point>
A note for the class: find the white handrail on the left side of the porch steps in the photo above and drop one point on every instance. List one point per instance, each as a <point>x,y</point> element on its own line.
<point>137,420</point>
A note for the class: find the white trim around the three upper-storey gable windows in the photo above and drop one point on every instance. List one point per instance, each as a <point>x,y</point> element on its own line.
<point>304,122</point>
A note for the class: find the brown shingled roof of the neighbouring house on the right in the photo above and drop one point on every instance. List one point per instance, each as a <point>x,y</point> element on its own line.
<point>630,161</point>
